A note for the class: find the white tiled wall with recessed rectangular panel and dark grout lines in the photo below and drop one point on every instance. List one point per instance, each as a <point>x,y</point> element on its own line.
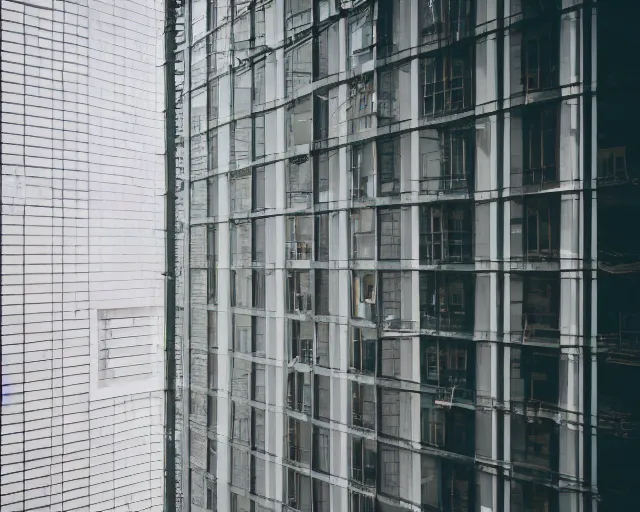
<point>82,255</point>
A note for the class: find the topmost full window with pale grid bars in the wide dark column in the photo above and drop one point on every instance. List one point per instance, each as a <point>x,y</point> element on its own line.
<point>446,82</point>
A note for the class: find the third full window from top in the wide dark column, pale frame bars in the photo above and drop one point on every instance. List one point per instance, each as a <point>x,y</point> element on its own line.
<point>446,234</point>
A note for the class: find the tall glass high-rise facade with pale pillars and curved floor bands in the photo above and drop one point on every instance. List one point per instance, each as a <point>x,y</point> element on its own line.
<point>387,257</point>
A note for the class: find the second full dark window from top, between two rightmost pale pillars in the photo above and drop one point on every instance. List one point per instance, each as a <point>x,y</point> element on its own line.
<point>542,146</point>
